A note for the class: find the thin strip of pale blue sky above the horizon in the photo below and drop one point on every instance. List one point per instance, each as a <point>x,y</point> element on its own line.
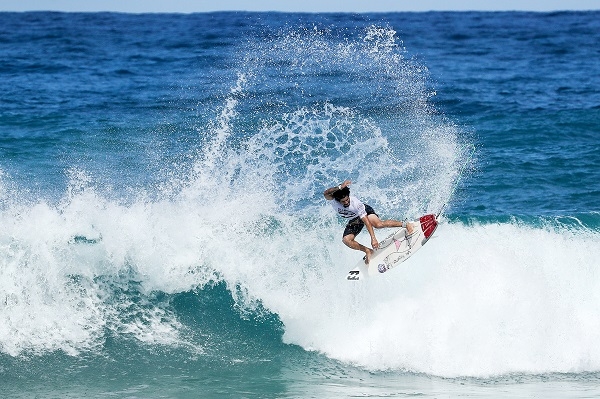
<point>189,6</point>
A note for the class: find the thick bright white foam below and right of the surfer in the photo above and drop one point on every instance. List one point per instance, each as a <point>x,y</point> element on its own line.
<point>477,300</point>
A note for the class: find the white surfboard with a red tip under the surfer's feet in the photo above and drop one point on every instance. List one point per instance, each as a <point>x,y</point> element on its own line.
<point>395,249</point>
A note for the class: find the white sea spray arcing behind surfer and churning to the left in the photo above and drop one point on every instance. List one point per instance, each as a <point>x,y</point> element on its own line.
<point>249,214</point>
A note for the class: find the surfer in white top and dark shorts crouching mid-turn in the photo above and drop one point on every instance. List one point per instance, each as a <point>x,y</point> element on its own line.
<point>360,215</point>
